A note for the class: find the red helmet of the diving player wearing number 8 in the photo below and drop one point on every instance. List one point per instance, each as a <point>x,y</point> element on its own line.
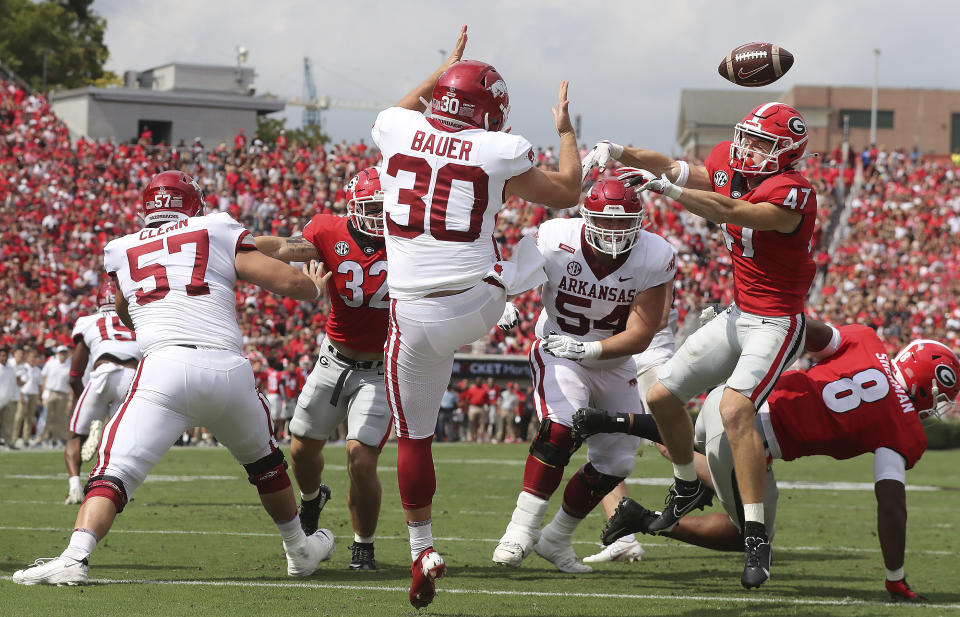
<point>928,371</point>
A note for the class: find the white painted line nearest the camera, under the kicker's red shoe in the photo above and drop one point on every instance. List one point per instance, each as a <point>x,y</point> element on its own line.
<point>497,592</point>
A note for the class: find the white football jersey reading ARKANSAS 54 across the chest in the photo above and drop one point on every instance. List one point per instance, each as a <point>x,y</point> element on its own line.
<point>584,300</point>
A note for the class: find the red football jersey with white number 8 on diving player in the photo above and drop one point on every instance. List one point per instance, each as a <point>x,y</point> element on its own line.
<point>847,405</point>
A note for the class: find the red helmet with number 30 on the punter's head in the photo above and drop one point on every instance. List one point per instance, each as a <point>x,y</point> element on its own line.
<point>471,94</point>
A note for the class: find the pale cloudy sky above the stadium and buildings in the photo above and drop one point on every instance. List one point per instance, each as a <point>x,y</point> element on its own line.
<point>627,62</point>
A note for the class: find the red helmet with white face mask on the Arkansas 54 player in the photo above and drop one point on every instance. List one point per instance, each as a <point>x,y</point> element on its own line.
<point>612,217</point>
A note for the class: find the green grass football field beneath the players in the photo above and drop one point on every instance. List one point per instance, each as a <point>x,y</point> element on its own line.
<point>196,542</point>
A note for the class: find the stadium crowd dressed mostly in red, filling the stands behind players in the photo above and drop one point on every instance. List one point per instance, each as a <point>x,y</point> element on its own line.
<point>61,200</point>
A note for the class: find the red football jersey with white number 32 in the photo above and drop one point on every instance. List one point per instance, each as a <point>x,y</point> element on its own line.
<point>358,287</point>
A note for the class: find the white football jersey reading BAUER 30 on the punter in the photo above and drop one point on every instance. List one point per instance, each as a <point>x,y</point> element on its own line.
<point>442,191</point>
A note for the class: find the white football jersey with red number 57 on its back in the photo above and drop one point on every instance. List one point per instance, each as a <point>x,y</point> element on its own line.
<point>179,281</point>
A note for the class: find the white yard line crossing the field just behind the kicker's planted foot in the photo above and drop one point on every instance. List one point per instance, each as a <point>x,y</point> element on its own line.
<point>647,543</point>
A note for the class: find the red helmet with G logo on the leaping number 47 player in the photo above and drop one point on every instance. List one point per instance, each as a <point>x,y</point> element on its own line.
<point>770,139</point>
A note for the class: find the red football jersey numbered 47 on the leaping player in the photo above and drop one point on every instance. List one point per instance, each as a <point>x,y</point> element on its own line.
<point>772,271</point>
